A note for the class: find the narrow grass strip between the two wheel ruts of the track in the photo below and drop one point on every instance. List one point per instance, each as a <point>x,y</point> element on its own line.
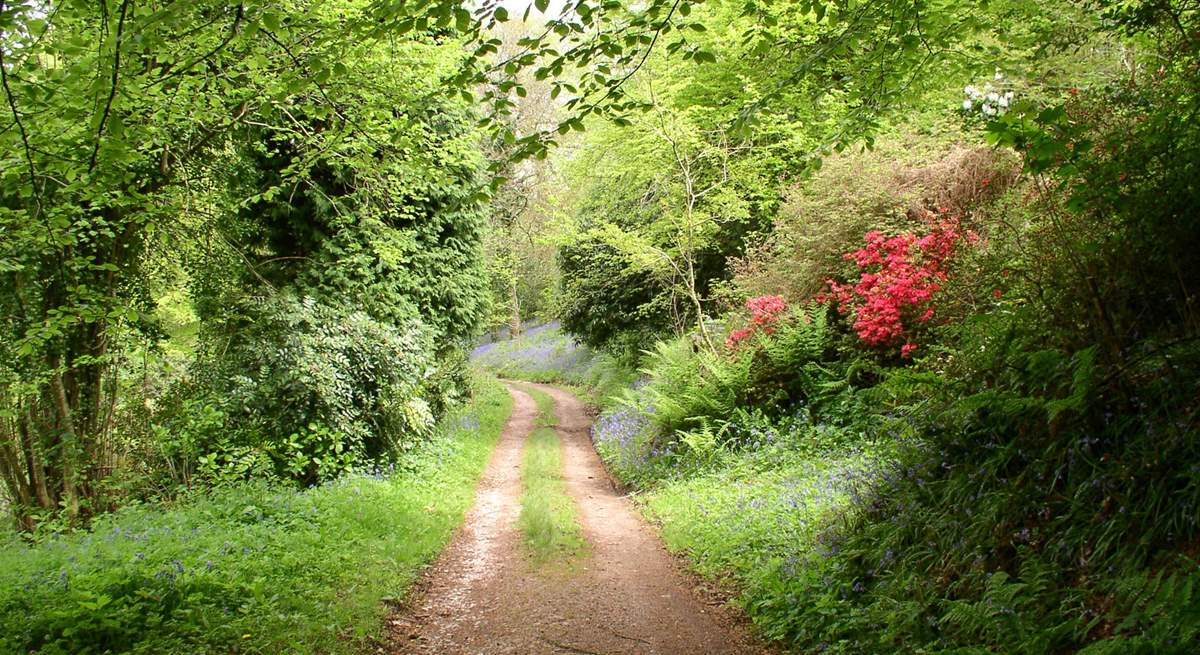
<point>549,525</point>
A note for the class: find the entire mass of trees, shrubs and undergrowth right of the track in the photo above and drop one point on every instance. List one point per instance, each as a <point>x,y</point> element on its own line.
<point>974,426</point>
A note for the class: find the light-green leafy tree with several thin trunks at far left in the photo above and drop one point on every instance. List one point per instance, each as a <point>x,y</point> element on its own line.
<point>121,116</point>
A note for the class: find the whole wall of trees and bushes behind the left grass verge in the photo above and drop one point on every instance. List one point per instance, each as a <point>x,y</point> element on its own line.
<point>316,201</point>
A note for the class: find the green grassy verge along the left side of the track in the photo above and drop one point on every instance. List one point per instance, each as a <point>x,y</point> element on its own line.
<point>251,568</point>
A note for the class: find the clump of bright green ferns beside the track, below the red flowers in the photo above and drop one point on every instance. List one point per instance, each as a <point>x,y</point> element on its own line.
<point>779,382</point>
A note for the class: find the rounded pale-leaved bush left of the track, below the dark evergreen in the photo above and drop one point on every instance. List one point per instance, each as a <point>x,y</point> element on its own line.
<point>316,390</point>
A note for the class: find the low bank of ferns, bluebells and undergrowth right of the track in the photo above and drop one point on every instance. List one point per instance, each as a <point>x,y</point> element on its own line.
<point>1017,503</point>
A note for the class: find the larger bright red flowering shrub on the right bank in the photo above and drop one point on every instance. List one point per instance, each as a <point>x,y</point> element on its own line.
<point>899,278</point>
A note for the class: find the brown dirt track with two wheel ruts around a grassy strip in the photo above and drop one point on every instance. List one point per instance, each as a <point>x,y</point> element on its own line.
<point>627,597</point>
